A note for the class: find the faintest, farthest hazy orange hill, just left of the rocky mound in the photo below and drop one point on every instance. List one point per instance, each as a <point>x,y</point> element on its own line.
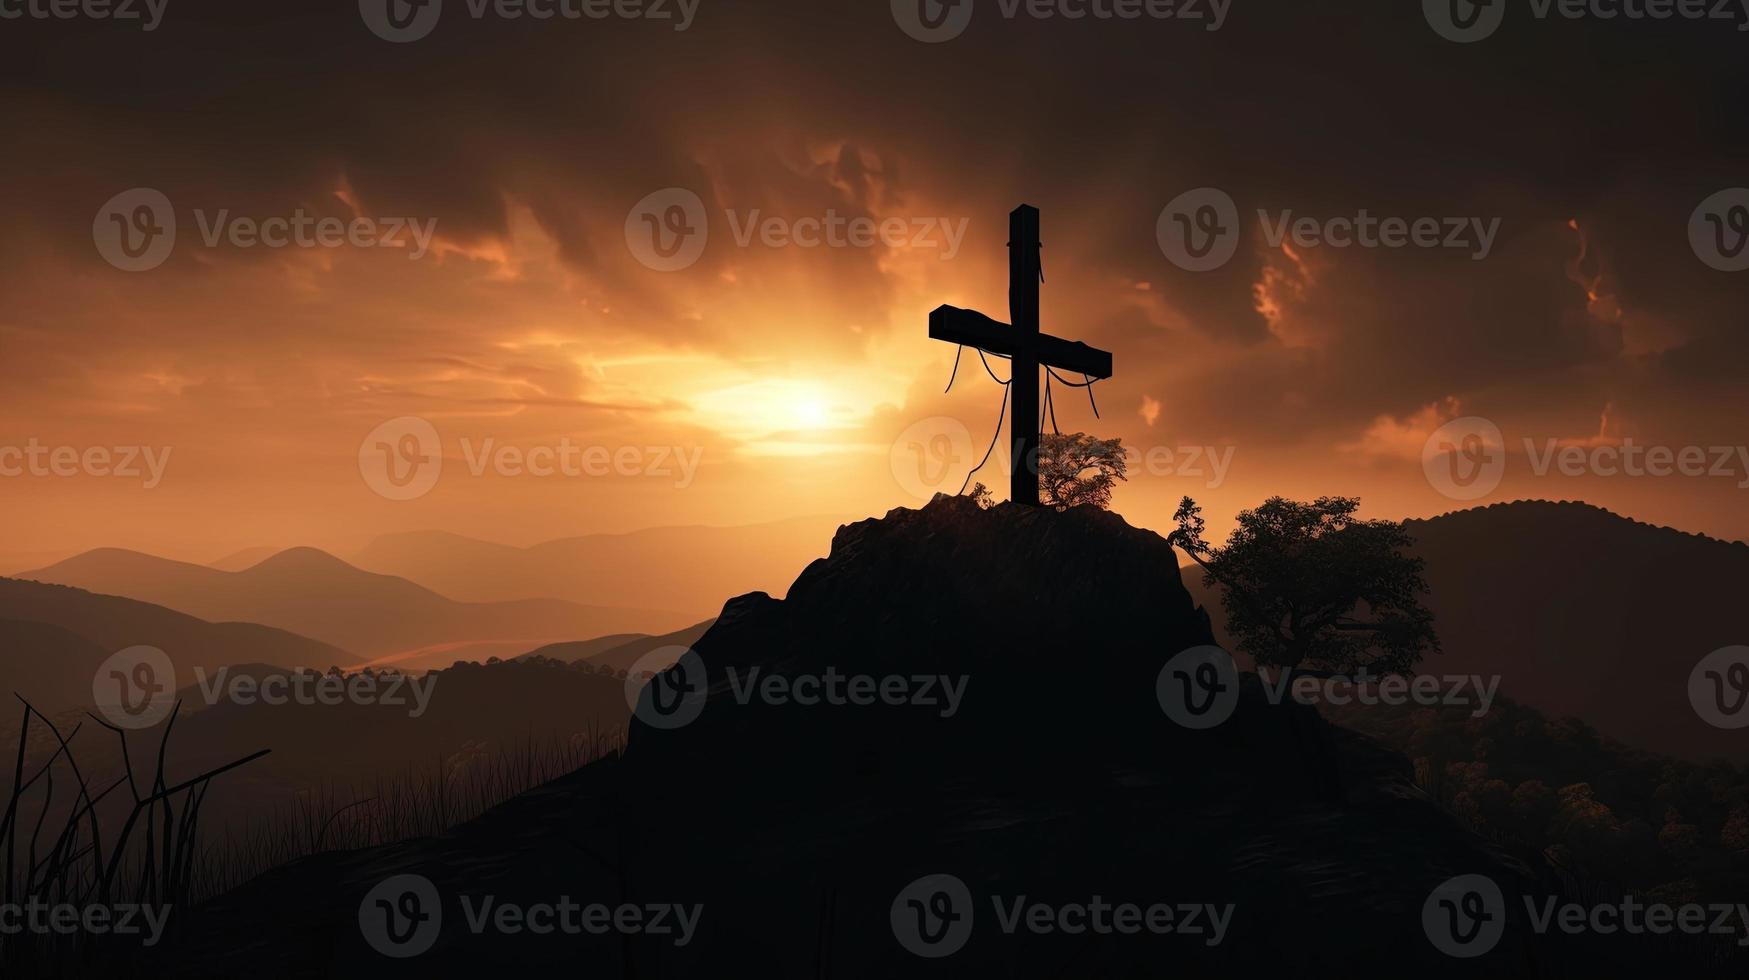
<point>693,570</point>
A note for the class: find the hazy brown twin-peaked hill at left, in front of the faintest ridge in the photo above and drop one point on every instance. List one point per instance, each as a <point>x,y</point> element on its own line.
<point>379,617</point>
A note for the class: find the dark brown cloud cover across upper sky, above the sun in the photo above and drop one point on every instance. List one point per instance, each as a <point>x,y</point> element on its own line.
<point>797,109</point>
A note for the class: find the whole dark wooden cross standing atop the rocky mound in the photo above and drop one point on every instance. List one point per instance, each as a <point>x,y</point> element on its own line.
<point>1026,346</point>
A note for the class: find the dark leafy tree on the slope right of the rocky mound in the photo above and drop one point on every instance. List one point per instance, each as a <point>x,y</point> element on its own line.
<point>1309,585</point>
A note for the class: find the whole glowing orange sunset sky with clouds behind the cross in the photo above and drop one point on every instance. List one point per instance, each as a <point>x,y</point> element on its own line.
<point>790,374</point>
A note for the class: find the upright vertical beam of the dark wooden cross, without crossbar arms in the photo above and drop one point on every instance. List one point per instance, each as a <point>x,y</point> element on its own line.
<point>1024,316</point>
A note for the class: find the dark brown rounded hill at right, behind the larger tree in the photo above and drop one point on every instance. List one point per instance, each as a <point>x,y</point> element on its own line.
<point>1582,613</point>
